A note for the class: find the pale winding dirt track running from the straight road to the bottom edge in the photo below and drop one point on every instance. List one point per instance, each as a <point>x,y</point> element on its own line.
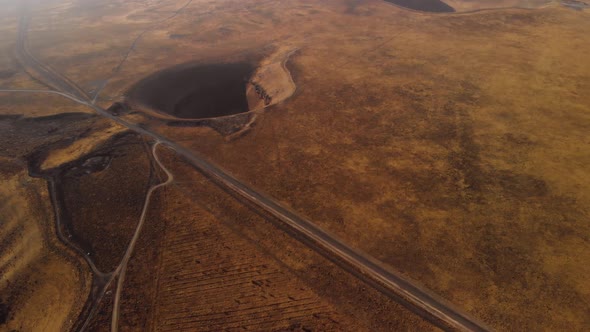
<point>122,268</point>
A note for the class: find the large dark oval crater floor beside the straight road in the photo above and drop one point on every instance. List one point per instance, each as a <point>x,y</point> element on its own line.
<point>195,91</point>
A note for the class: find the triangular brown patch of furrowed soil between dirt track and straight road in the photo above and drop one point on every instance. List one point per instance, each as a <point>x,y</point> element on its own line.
<point>243,287</point>
